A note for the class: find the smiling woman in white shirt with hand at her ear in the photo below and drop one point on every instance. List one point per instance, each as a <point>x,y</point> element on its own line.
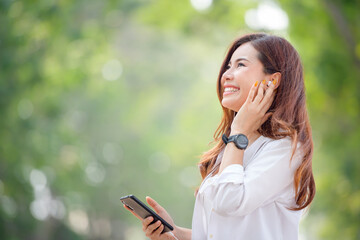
<point>258,178</point>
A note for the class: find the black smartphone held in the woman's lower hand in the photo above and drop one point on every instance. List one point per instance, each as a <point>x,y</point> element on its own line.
<point>144,211</point>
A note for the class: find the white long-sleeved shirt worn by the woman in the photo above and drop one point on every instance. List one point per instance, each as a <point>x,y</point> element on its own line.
<point>250,202</point>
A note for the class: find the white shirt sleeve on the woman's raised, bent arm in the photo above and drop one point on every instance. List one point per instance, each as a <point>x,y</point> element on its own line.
<point>238,191</point>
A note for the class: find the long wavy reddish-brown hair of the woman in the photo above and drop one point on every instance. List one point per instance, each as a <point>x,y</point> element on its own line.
<point>289,116</point>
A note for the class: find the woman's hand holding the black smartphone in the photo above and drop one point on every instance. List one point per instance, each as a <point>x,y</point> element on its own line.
<point>154,230</point>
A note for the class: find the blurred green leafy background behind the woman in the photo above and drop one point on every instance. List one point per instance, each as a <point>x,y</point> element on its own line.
<point>100,99</point>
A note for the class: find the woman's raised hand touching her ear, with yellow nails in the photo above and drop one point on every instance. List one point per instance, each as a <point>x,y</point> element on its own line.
<point>252,113</point>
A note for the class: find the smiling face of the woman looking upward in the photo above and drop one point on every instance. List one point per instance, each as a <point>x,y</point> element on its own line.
<point>244,69</point>
